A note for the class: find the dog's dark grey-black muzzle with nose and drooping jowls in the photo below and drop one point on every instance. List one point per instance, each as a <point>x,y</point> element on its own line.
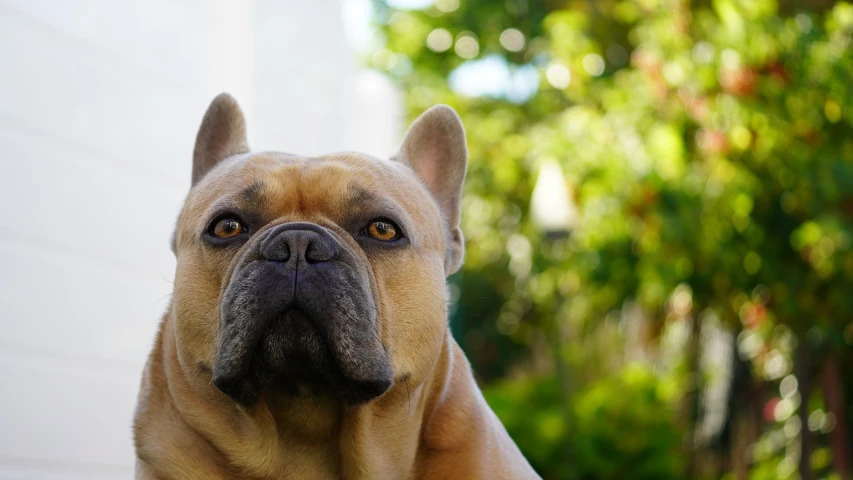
<point>299,312</point>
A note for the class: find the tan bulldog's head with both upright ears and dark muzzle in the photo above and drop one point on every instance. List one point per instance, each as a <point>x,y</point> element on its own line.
<point>306,274</point>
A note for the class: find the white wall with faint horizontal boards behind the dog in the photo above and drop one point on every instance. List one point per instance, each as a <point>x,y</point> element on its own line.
<point>99,105</point>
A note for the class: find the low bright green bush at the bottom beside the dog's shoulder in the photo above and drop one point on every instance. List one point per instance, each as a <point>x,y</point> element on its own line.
<point>624,427</point>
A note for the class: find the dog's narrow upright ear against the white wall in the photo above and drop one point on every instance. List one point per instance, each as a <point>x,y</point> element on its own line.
<point>221,135</point>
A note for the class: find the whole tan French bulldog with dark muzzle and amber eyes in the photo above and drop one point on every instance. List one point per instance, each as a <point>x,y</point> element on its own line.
<point>307,335</point>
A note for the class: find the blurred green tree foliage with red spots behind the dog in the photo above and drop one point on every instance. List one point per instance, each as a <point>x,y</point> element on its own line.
<point>710,148</point>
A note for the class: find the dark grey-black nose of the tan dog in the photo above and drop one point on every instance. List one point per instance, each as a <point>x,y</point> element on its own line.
<point>299,242</point>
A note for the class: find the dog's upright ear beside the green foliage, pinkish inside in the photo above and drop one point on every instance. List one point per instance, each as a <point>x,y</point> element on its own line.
<point>434,147</point>
